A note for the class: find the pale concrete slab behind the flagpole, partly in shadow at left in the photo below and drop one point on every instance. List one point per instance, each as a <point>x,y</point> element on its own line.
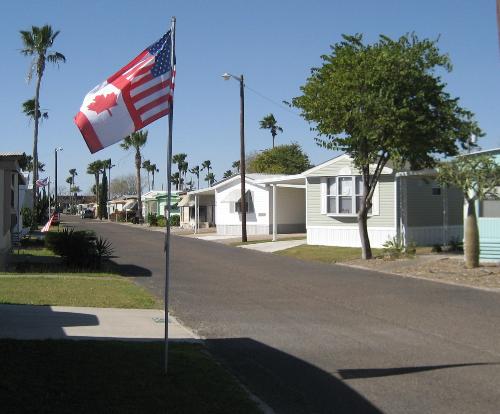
<point>64,322</point>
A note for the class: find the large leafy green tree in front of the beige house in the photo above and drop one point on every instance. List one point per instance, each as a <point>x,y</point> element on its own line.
<point>384,102</point>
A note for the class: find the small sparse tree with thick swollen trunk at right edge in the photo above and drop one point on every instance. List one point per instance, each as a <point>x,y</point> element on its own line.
<point>478,176</point>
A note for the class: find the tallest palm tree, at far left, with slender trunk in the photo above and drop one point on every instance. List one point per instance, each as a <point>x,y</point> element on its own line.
<point>37,43</point>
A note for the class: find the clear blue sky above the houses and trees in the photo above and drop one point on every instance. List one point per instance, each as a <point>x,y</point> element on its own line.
<point>273,43</point>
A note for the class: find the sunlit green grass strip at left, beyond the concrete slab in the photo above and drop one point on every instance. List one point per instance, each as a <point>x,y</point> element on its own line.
<point>93,291</point>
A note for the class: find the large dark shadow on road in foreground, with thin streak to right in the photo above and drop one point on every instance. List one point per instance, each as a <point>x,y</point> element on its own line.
<point>291,385</point>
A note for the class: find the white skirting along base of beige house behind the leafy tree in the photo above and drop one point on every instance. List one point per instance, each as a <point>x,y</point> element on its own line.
<point>348,236</point>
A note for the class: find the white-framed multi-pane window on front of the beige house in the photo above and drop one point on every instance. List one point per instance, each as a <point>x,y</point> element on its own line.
<point>344,195</point>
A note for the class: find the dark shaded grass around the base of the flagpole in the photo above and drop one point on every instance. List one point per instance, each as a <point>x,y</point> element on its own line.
<point>115,377</point>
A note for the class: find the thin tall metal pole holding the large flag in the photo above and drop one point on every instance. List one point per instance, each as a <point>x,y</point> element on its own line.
<point>169,186</point>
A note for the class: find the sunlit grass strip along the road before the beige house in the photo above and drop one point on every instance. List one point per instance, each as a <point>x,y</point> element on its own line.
<point>325,254</point>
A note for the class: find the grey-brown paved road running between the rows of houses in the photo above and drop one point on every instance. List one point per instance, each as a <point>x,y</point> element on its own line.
<point>313,338</point>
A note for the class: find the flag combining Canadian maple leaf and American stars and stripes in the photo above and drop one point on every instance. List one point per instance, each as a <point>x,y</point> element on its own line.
<point>136,95</point>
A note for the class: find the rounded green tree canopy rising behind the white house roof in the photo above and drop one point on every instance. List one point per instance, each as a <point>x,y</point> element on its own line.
<point>282,159</point>
